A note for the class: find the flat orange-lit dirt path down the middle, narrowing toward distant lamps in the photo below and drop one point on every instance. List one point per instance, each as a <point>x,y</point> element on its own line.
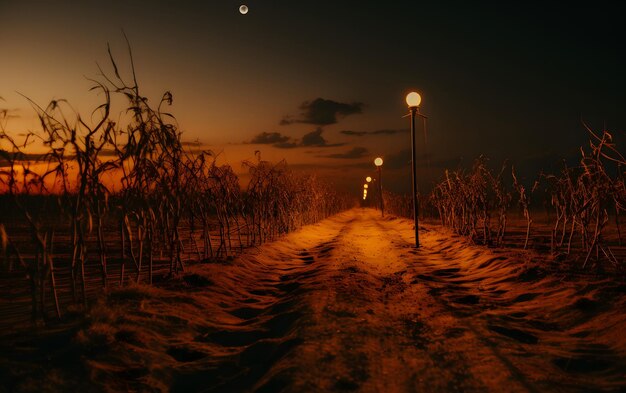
<point>377,326</point>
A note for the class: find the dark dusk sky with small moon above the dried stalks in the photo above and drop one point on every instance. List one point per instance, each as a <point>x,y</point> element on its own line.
<point>322,83</point>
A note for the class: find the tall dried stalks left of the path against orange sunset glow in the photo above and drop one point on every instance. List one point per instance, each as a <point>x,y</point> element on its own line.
<point>126,194</point>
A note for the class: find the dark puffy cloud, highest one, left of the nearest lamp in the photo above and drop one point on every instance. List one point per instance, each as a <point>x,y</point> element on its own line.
<point>323,112</point>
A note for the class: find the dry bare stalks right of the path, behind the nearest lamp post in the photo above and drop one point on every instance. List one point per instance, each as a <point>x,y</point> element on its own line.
<point>584,203</point>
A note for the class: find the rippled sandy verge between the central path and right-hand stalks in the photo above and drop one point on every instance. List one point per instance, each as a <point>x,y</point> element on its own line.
<point>550,333</point>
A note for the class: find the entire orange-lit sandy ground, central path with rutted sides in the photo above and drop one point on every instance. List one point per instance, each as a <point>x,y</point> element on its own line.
<point>344,305</point>
